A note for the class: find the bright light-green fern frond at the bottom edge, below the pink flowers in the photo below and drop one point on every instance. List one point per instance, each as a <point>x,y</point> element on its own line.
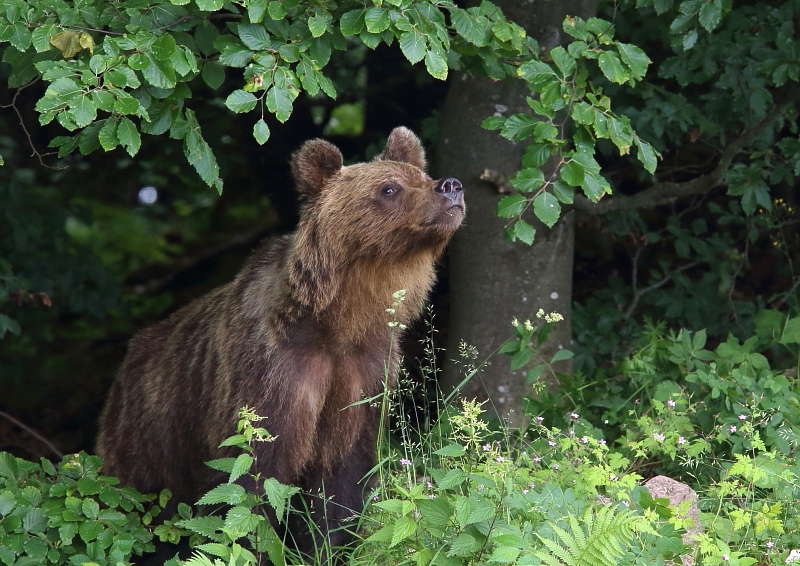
<point>599,538</point>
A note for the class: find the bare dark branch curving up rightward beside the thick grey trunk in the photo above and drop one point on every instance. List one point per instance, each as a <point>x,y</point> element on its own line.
<point>667,192</point>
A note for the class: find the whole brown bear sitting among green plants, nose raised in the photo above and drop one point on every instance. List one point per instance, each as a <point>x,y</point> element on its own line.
<point>300,335</point>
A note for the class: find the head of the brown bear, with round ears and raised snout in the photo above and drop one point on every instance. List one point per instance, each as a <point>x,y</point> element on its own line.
<point>384,212</point>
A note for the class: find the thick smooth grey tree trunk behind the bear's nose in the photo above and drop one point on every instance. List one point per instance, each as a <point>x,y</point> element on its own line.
<point>493,281</point>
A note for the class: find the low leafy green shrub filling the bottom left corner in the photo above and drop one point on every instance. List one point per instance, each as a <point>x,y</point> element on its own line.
<point>70,514</point>
